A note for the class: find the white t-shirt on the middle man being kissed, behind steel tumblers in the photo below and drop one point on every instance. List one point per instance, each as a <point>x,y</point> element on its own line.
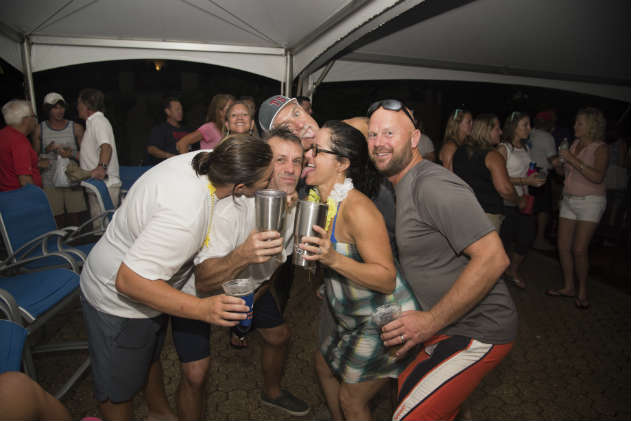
<point>232,223</point>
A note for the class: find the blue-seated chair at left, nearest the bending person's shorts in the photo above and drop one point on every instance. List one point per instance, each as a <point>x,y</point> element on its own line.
<point>31,300</point>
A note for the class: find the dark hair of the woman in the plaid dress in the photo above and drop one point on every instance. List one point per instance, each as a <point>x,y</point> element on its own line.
<point>351,144</point>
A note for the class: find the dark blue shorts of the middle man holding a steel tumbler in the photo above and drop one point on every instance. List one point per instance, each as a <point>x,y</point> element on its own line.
<point>192,337</point>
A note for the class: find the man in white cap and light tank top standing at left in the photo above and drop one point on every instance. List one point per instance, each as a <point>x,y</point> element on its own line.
<point>58,137</point>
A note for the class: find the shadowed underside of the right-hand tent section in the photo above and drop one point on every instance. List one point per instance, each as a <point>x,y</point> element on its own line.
<point>578,45</point>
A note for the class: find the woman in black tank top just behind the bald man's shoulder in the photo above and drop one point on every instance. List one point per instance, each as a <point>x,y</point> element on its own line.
<point>484,169</point>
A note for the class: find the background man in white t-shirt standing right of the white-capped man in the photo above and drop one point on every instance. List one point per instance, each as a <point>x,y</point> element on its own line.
<point>98,148</point>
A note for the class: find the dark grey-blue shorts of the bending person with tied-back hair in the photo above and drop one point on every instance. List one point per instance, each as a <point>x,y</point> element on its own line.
<point>121,351</point>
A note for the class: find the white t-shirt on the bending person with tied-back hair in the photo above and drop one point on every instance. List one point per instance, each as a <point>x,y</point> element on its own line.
<point>157,232</point>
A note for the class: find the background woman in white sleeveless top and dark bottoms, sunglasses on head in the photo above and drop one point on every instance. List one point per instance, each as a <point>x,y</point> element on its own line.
<point>518,229</point>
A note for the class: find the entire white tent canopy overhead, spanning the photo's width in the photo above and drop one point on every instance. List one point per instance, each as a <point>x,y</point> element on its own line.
<point>576,45</point>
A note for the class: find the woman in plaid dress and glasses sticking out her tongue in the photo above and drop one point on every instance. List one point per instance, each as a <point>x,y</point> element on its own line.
<point>359,273</point>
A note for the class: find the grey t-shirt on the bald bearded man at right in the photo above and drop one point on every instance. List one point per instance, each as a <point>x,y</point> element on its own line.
<point>438,217</point>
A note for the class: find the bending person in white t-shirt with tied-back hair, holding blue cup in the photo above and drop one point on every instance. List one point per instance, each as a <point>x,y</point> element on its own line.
<point>134,274</point>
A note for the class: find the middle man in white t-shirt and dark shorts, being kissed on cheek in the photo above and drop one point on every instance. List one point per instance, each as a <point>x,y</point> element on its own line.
<point>236,250</point>
